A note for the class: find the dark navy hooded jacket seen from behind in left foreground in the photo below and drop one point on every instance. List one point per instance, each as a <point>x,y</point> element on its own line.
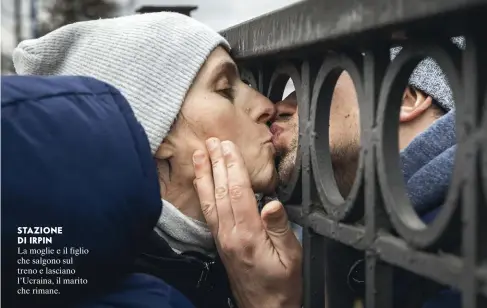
<point>74,156</point>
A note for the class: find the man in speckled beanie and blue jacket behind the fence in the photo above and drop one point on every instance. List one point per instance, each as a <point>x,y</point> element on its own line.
<point>427,111</point>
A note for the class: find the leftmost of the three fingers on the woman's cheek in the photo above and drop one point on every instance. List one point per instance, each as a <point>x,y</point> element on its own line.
<point>205,189</point>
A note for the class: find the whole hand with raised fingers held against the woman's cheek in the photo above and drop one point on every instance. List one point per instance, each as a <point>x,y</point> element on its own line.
<point>261,254</point>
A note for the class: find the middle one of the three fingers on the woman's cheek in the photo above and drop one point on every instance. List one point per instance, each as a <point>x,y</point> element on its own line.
<point>226,219</point>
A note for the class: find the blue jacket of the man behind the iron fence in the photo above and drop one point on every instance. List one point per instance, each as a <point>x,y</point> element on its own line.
<point>427,165</point>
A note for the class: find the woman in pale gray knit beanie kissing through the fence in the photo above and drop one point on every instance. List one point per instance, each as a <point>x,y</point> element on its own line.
<point>185,90</point>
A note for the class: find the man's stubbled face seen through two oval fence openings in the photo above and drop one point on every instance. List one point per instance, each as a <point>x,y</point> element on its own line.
<point>344,133</point>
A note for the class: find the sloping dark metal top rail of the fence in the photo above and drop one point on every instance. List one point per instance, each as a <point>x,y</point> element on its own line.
<point>313,21</point>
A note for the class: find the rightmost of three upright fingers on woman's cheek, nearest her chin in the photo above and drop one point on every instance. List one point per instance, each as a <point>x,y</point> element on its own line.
<point>242,197</point>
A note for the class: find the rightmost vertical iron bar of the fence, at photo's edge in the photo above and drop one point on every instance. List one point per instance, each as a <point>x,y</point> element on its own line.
<point>472,208</point>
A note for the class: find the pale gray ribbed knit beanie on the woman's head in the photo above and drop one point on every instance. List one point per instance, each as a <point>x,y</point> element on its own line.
<point>151,58</point>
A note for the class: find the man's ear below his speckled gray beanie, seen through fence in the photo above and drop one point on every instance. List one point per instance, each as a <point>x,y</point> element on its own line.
<point>414,104</point>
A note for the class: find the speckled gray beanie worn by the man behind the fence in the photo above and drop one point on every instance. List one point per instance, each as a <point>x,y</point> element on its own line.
<point>430,78</point>
